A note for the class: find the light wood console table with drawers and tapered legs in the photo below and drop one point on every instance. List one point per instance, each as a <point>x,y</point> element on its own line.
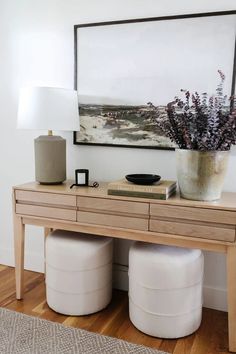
<point>179,222</point>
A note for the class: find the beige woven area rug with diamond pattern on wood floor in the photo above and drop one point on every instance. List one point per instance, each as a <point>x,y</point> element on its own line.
<point>22,334</point>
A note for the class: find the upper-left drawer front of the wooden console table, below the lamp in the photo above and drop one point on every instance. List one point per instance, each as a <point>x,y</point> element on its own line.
<point>45,198</point>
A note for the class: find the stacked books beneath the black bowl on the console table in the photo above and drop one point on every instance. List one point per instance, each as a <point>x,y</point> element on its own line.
<point>160,190</point>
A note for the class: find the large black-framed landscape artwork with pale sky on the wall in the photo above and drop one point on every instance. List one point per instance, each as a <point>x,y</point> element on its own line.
<point>121,66</point>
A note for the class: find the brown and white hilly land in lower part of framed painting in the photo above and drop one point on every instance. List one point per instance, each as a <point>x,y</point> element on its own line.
<point>121,125</point>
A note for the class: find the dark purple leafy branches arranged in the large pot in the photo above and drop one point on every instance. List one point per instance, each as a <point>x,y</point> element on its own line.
<point>200,122</point>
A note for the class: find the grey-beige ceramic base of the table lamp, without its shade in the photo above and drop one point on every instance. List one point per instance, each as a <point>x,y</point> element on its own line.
<point>50,159</point>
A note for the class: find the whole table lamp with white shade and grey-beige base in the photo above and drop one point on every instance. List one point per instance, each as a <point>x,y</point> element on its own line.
<point>49,108</point>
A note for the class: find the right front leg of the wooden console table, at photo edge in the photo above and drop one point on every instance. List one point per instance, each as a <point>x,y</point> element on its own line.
<point>231,280</point>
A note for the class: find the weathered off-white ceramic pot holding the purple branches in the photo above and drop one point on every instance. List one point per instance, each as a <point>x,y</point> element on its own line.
<point>201,174</point>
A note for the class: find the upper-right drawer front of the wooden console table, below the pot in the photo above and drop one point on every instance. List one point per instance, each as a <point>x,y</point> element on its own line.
<point>190,213</point>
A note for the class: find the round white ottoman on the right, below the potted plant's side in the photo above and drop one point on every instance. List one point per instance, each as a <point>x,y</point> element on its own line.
<point>165,289</point>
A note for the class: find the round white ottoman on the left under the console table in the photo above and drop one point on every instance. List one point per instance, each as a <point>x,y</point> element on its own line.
<point>78,272</point>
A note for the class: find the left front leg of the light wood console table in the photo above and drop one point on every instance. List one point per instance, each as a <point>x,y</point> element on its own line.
<point>19,244</point>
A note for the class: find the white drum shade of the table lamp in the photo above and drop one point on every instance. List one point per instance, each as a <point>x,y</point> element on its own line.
<point>48,108</point>
